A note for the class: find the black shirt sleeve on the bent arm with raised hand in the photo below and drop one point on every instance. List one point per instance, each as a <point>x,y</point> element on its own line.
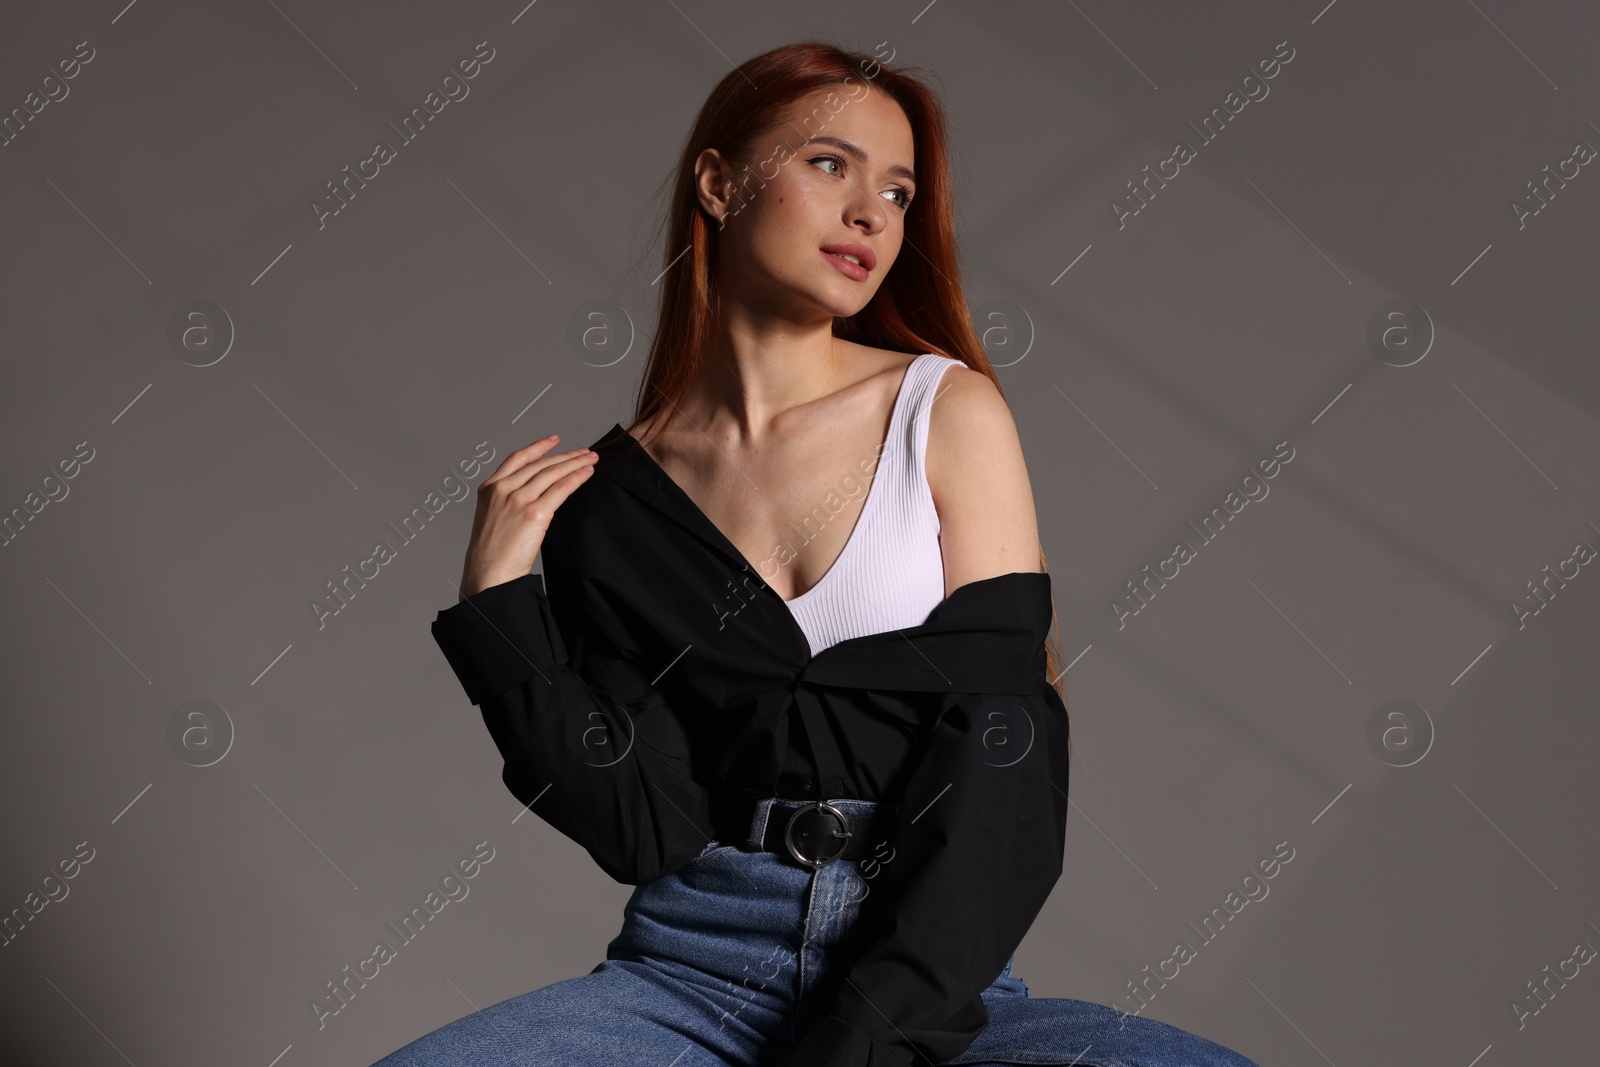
<point>596,753</point>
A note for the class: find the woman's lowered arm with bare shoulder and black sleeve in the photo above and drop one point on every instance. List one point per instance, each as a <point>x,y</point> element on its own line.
<point>982,833</point>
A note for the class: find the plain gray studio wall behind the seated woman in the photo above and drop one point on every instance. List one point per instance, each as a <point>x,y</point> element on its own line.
<point>369,358</point>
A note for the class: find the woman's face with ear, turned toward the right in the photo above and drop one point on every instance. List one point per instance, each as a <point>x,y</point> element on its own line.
<point>838,175</point>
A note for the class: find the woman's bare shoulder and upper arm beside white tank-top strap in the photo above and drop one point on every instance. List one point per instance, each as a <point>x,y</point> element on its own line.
<point>988,522</point>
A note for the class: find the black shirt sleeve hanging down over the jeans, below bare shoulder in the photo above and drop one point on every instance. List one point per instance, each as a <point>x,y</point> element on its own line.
<point>972,858</point>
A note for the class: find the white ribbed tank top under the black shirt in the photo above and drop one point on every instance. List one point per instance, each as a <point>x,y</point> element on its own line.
<point>890,573</point>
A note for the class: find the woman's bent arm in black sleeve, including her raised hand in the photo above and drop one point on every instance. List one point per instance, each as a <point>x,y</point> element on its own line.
<point>588,746</point>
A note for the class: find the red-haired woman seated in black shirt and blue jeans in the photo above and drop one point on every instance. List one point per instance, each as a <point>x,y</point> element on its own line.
<point>810,717</point>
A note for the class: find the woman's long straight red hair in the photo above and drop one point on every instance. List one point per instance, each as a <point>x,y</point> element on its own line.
<point>919,308</point>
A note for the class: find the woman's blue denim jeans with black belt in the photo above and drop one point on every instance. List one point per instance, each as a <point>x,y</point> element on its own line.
<point>713,969</point>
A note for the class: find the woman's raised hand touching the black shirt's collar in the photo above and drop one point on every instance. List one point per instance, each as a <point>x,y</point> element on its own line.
<point>514,511</point>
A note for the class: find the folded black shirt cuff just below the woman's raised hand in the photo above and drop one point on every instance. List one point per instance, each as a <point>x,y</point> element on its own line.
<point>502,637</point>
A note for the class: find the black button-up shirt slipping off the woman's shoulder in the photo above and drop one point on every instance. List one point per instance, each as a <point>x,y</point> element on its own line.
<point>649,677</point>
